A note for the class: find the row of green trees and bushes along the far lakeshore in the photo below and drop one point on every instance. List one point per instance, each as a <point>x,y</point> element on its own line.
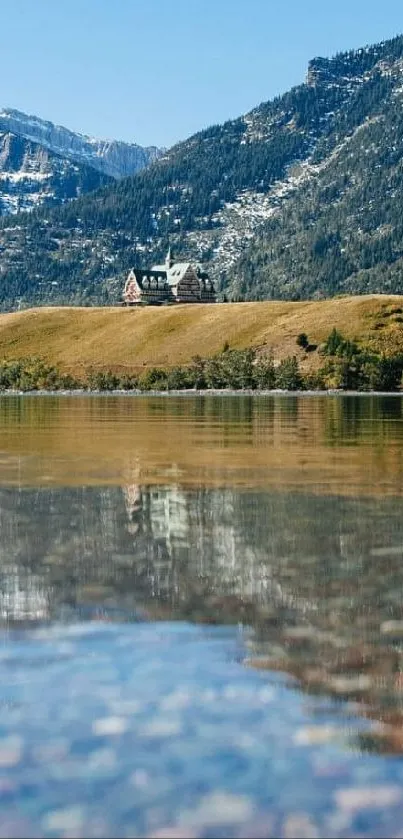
<point>346,366</point>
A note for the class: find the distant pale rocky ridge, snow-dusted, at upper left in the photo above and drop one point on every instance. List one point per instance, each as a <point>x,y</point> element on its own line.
<point>111,157</point>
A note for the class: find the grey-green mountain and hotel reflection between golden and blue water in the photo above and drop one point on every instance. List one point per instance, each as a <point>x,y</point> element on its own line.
<point>319,578</point>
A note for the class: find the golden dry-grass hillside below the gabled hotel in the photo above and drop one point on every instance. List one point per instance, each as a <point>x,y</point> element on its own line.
<point>131,340</point>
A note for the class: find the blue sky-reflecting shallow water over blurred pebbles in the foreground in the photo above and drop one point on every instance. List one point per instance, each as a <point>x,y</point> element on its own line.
<point>157,729</point>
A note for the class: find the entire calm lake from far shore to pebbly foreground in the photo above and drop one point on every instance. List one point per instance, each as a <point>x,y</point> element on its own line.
<point>201,606</point>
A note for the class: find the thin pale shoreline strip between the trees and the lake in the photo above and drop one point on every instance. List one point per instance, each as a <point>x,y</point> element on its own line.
<point>207,392</point>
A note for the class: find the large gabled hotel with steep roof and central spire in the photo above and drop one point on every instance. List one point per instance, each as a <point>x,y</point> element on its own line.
<point>173,282</point>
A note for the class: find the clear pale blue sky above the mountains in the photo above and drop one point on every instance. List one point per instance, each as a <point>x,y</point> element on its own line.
<point>156,71</point>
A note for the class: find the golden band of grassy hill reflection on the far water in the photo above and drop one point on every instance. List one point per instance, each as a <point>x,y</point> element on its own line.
<point>346,445</point>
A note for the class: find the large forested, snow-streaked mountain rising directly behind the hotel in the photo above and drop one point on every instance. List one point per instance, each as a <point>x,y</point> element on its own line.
<point>300,198</point>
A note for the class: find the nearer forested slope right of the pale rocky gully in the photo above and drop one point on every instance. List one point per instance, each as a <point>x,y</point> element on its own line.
<point>341,231</point>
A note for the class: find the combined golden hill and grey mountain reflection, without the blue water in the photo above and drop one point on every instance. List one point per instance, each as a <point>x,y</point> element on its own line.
<point>280,513</point>
